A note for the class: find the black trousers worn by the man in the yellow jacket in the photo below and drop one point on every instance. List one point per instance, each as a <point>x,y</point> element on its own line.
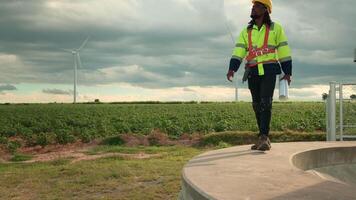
<point>262,88</point>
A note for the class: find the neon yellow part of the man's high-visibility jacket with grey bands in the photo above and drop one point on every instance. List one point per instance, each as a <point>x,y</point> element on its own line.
<point>264,46</point>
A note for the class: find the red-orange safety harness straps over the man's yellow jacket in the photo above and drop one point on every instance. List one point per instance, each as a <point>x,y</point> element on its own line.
<point>255,52</point>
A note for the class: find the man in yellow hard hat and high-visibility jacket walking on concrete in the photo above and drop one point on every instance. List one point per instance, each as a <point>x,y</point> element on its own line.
<point>264,45</point>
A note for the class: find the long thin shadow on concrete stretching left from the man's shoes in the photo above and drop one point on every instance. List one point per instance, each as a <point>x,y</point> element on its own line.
<point>220,156</point>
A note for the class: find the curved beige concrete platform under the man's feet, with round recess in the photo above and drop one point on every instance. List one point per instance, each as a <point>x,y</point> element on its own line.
<point>307,170</point>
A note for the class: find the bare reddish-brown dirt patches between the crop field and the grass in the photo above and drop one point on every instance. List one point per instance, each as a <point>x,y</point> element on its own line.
<point>77,151</point>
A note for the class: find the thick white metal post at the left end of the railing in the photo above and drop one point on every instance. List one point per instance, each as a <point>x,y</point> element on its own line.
<point>332,112</point>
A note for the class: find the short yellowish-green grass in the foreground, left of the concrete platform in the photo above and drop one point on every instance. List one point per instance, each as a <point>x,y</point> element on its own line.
<point>105,178</point>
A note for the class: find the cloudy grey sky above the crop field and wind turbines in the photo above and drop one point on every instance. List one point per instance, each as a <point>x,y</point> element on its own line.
<point>163,50</point>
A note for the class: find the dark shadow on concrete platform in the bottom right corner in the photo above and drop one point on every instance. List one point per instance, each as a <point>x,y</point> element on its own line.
<point>324,190</point>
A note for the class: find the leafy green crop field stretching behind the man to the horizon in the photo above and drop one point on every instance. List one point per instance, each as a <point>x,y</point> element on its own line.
<point>64,123</point>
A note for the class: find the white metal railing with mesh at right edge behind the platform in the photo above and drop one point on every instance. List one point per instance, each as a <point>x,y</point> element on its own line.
<point>345,118</point>
